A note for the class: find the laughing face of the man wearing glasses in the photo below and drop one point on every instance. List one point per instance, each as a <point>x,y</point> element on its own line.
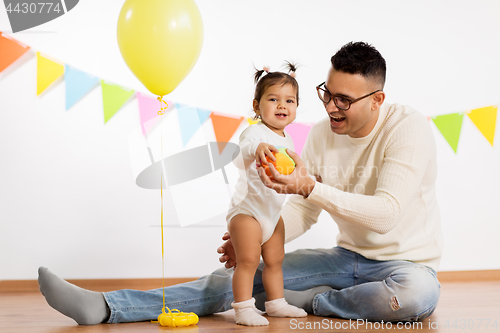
<point>362,116</point>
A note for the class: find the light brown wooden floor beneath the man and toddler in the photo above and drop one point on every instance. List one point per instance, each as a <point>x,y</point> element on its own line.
<point>463,307</point>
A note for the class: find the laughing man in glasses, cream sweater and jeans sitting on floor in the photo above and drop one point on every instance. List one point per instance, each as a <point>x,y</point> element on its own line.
<point>375,170</point>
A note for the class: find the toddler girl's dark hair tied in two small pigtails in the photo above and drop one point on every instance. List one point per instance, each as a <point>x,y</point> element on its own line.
<point>273,78</point>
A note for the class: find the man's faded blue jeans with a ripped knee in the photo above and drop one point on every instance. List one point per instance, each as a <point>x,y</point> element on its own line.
<point>362,289</point>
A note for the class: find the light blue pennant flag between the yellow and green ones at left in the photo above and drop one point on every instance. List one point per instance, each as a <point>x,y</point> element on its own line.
<point>78,84</point>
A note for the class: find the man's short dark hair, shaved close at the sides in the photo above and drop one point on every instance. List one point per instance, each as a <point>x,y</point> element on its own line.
<point>360,58</point>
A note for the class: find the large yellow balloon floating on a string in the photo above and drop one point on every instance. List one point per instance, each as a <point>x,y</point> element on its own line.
<point>160,41</point>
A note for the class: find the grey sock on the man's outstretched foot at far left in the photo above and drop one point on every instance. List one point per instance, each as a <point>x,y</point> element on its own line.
<point>84,306</point>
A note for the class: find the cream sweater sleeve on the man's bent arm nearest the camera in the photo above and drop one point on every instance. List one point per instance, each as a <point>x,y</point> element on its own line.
<point>407,156</point>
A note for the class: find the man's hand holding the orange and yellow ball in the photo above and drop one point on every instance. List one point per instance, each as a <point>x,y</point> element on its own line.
<point>298,182</point>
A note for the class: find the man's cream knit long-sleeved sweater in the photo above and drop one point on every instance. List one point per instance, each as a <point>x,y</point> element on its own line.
<point>379,189</point>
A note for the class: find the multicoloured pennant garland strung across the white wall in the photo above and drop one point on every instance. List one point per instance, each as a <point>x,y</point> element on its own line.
<point>79,83</point>
